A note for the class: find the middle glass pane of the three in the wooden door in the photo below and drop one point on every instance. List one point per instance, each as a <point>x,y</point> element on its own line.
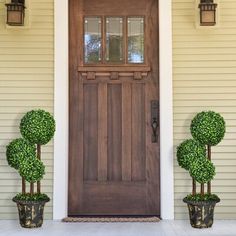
<point>114,39</point>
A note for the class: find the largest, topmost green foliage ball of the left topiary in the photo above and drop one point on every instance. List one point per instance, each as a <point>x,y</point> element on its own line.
<point>38,126</point>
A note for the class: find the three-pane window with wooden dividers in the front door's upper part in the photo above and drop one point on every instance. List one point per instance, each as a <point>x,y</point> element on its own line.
<point>114,40</point>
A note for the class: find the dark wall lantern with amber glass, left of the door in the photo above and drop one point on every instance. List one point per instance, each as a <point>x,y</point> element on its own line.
<point>16,12</point>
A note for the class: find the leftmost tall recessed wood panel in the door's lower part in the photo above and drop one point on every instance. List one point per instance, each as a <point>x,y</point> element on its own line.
<point>90,132</point>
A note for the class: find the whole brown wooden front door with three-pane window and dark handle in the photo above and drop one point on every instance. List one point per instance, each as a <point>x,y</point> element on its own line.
<point>114,116</point>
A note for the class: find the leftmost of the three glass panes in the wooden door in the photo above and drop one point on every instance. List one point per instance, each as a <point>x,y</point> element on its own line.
<point>92,39</point>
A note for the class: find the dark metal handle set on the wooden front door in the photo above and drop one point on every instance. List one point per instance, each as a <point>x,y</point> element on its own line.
<point>154,120</point>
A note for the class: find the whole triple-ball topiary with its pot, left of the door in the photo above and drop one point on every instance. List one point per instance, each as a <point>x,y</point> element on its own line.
<point>37,128</point>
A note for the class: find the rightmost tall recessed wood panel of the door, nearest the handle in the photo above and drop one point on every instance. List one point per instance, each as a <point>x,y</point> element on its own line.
<point>138,132</point>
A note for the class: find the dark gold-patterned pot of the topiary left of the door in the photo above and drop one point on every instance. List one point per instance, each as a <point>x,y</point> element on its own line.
<point>30,213</point>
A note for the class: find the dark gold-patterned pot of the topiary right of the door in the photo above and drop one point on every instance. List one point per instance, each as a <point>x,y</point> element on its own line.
<point>201,214</point>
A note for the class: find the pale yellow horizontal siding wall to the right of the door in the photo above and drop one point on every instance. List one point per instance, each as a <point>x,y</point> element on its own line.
<point>204,63</point>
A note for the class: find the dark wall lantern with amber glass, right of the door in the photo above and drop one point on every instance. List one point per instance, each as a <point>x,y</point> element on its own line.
<point>207,12</point>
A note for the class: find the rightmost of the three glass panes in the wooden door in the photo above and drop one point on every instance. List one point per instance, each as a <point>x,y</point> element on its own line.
<point>136,40</point>
